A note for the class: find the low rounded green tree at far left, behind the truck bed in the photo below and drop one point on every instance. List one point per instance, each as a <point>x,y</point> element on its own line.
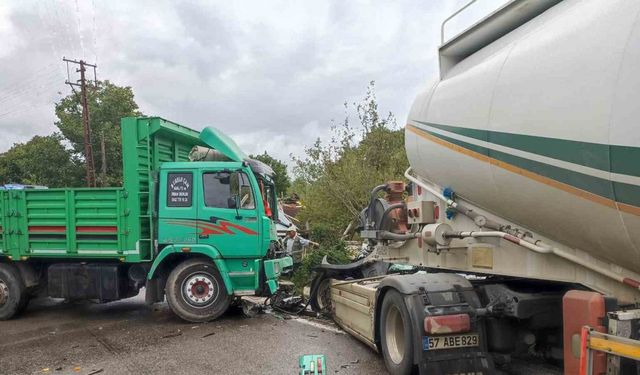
<point>41,161</point>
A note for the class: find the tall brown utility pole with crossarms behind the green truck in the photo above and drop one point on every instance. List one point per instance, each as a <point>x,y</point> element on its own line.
<point>82,83</point>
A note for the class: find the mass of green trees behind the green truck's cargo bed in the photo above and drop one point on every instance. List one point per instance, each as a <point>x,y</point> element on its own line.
<point>56,160</point>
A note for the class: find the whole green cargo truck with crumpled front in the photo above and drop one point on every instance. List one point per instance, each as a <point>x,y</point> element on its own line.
<point>201,233</point>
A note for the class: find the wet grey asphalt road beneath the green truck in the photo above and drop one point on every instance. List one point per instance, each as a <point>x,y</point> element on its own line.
<point>129,337</point>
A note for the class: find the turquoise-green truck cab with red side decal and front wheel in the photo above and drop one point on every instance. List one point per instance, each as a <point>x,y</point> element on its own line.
<point>218,208</point>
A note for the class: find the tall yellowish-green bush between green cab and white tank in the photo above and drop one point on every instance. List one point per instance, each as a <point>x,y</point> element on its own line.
<point>335,179</point>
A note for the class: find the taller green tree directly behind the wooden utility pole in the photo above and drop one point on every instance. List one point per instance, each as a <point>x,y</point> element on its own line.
<point>108,103</point>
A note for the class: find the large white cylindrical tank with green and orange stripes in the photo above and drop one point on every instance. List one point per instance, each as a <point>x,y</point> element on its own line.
<point>537,119</point>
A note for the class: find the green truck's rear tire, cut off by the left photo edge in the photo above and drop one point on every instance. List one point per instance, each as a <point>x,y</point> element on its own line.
<point>13,296</point>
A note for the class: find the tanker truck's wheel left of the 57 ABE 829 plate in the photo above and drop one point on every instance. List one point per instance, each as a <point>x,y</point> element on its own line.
<point>395,334</point>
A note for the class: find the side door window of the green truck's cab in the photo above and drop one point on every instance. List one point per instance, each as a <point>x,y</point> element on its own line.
<point>228,190</point>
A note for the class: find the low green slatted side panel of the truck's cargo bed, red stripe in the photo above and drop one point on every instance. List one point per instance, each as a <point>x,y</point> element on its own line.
<point>53,223</point>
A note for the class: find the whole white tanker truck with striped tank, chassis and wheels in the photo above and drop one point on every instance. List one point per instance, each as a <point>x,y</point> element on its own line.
<point>523,212</point>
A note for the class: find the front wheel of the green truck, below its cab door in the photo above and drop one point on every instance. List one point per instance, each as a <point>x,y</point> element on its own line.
<point>196,292</point>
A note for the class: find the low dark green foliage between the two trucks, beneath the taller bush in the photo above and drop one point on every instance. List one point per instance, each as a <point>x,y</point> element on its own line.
<point>331,246</point>
